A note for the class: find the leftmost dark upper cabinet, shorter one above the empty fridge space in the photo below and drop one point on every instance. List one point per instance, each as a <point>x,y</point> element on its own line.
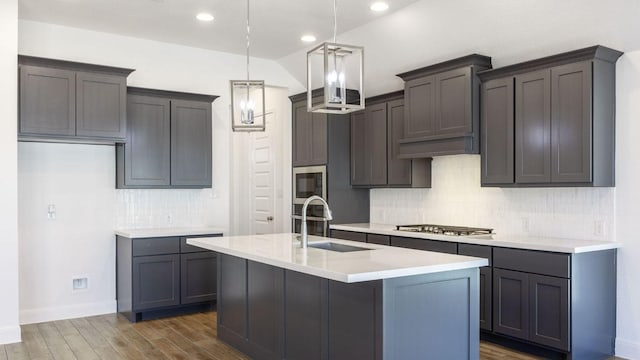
<point>71,102</point>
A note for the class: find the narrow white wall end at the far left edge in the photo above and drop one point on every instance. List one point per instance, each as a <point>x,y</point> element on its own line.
<point>9,329</point>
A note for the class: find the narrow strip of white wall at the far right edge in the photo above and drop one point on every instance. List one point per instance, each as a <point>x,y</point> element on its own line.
<point>627,209</point>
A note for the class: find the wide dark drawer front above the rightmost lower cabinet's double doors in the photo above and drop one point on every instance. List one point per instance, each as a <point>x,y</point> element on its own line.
<point>538,262</point>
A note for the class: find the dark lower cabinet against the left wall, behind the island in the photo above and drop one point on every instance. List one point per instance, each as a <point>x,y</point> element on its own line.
<point>163,276</point>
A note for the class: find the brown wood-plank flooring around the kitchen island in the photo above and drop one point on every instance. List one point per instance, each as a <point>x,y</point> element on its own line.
<point>111,337</point>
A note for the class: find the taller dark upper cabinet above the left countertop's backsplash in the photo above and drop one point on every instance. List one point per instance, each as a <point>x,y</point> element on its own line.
<point>168,141</point>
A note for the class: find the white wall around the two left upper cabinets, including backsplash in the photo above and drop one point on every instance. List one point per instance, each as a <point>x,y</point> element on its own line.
<point>80,241</point>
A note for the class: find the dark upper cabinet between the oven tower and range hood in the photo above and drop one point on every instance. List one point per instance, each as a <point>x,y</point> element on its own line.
<point>375,132</point>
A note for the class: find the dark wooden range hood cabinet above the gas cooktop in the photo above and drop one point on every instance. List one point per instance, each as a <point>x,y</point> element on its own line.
<point>441,115</point>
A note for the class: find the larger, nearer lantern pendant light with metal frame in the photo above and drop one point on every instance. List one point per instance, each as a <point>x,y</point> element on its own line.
<point>338,70</point>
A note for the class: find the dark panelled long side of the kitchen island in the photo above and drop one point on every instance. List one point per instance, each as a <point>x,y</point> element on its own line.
<point>260,305</point>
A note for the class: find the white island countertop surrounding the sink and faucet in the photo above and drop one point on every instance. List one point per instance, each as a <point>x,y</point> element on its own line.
<point>381,262</point>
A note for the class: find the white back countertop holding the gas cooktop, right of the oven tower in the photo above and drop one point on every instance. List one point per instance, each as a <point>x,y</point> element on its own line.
<point>571,246</point>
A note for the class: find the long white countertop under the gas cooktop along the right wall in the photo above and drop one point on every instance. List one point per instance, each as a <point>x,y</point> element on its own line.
<point>595,246</point>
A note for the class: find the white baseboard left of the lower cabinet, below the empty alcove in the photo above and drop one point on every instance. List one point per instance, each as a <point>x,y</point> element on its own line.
<point>32,316</point>
